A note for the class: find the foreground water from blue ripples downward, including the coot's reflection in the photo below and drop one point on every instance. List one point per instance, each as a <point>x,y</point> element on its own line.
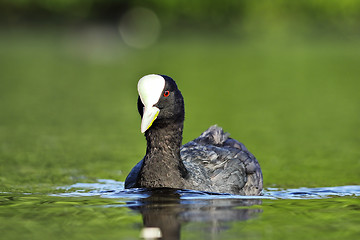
<point>105,209</point>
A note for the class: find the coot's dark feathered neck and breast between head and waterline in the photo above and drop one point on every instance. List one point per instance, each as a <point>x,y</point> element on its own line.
<point>162,165</point>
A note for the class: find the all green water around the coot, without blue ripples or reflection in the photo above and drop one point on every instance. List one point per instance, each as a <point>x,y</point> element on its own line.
<point>68,115</point>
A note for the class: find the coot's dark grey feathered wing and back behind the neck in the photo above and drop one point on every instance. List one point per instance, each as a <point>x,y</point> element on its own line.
<point>227,162</point>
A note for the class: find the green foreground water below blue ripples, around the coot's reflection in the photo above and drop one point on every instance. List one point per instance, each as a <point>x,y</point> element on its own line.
<point>43,217</point>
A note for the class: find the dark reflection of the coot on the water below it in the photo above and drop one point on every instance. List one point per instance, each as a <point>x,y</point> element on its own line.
<point>166,210</point>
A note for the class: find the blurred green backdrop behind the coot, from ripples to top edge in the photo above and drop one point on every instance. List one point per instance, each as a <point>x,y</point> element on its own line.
<point>281,76</point>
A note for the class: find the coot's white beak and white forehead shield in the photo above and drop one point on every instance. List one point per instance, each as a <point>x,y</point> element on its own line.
<point>150,88</point>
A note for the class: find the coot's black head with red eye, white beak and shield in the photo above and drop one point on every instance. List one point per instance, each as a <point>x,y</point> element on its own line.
<point>160,101</point>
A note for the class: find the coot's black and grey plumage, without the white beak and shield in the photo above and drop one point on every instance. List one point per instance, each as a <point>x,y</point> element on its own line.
<point>212,162</point>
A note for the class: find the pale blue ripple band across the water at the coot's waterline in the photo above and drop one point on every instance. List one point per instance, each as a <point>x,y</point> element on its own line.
<point>108,188</point>
